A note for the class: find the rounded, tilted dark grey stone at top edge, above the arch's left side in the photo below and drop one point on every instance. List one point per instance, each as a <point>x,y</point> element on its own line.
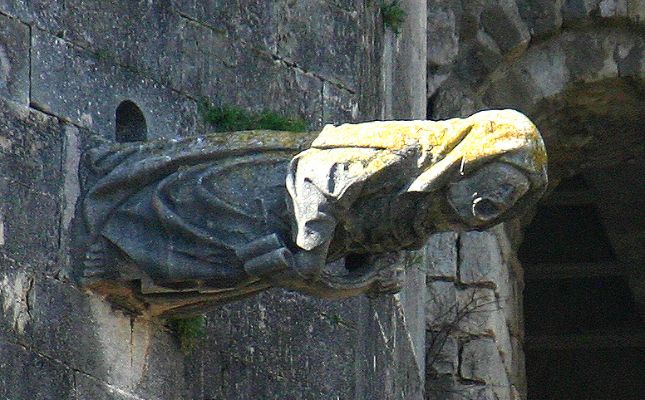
<point>504,25</point>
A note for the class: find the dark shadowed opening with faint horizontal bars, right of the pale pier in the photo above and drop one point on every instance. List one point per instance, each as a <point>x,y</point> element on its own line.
<point>583,327</point>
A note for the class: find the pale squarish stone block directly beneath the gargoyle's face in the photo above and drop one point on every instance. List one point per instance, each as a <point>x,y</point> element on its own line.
<point>480,259</point>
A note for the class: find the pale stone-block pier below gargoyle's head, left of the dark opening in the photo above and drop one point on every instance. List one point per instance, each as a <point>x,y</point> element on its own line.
<point>474,317</point>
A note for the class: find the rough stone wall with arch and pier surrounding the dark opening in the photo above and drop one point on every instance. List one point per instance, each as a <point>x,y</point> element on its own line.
<point>576,68</point>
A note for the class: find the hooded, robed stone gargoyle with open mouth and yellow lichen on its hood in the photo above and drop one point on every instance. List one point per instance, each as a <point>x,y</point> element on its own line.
<point>177,226</point>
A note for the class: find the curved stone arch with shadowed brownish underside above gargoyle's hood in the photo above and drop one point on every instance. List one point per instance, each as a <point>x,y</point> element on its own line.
<point>576,86</point>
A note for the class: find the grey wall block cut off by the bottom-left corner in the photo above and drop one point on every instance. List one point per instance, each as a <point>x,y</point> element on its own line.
<point>27,375</point>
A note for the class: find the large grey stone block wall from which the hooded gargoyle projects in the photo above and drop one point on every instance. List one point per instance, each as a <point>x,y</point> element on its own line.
<point>65,66</point>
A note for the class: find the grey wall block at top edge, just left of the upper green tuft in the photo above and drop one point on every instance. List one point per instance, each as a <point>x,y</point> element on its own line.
<point>320,37</point>
